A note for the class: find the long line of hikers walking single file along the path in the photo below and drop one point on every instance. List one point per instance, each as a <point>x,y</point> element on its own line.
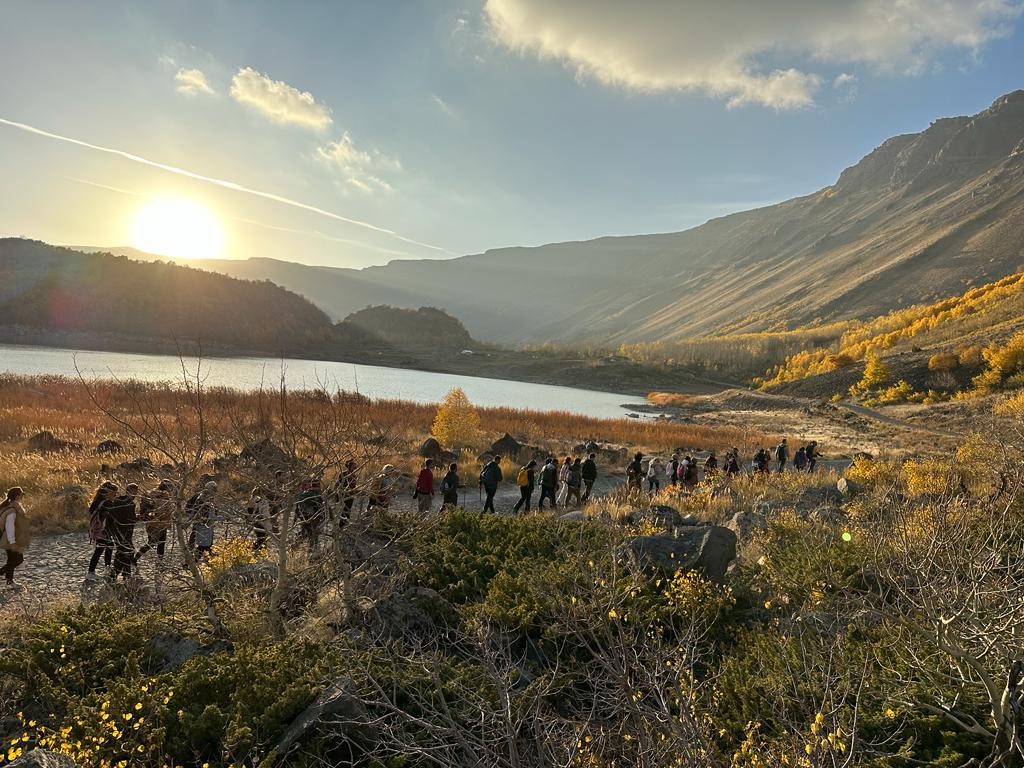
<point>115,513</point>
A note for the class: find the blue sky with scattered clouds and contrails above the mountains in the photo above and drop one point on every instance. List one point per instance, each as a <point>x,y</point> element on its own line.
<point>355,133</point>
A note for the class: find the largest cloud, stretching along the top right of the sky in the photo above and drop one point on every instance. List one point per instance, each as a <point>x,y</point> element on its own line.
<point>745,52</point>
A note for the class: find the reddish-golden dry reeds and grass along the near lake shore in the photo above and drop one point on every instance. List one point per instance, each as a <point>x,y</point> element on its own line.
<point>64,407</point>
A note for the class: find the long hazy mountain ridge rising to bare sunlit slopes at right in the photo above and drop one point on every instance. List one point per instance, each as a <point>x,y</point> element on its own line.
<point>922,217</point>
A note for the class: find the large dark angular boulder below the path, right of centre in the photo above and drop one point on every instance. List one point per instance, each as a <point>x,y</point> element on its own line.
<point>706,548</point>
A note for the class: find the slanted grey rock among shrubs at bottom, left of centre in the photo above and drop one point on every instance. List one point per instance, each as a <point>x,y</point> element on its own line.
<point>334,710</point>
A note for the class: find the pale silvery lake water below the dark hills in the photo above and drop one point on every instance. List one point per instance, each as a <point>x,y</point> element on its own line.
<point>373,381</point>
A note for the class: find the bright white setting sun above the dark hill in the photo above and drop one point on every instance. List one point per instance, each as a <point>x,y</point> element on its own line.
<point>177,227</point>
